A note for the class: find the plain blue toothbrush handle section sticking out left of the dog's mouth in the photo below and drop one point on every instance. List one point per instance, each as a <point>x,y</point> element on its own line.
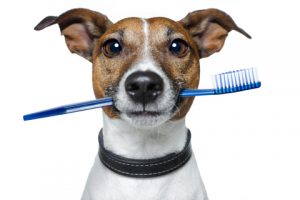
<point>69,108</point>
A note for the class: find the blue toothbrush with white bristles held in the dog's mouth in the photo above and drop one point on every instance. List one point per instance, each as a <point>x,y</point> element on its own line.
<point>228,82</point>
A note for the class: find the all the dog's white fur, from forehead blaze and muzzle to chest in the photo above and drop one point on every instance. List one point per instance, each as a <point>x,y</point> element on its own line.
<point>145,138</point>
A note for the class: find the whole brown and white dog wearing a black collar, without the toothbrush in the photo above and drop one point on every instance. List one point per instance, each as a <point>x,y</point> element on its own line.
<point>145,150</point>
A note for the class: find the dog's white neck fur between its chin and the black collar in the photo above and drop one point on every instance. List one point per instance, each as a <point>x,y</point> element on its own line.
<point>140,143</point>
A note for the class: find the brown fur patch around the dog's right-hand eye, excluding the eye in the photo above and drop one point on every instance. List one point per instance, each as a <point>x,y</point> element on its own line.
<point>185,72</point>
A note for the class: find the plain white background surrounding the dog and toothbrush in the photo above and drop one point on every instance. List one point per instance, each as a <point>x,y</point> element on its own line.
<point>247,144</point>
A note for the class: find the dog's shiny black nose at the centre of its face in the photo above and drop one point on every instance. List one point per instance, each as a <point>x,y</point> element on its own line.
<point>144,87</point>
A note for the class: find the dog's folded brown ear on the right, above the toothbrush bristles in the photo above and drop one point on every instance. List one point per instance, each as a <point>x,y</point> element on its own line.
<point>209,28</point>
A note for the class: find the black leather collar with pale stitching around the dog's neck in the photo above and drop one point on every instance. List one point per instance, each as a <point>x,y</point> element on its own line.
<point>143,168</point>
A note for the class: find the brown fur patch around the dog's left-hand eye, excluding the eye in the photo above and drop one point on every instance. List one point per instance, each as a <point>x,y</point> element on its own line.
<point>108,71</point>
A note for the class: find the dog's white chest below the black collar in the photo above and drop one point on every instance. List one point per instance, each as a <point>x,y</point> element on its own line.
<point>185,184</point>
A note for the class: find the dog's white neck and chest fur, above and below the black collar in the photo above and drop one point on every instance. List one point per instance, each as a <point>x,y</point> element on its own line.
<point>121,138</point>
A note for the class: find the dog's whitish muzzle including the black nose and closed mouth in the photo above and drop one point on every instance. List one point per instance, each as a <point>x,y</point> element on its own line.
<point>145,98</point>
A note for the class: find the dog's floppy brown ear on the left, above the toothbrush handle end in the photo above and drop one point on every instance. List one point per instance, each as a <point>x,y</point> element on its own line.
<point>81,27</point>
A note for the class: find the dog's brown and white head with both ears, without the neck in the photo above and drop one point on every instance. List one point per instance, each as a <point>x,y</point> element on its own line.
<point>144,63</point>
